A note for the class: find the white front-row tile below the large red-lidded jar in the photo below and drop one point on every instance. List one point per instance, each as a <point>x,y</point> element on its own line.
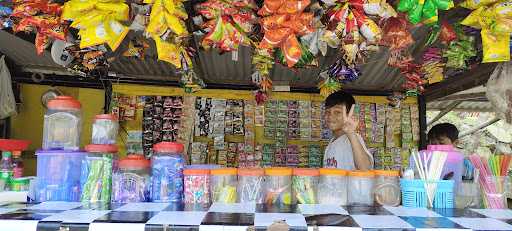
<point>178,218</point>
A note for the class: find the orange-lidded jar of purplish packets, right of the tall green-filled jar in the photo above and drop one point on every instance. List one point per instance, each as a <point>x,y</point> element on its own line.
<point>131,180</point>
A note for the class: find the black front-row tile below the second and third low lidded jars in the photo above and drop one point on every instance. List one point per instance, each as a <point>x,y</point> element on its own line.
<point>236,219</point>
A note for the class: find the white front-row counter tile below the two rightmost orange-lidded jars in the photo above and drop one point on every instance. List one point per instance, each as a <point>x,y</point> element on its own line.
<point>381,222</point>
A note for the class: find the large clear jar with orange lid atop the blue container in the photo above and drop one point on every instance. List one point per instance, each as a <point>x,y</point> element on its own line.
<point>62,124</point>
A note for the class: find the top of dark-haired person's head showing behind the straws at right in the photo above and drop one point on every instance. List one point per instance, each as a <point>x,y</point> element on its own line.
<point>444,133</point>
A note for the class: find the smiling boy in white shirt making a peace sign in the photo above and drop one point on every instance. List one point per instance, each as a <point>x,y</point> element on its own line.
<point>347,149</point>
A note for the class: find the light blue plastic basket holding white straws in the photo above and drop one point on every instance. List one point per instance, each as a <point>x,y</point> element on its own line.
<point>414,194</point>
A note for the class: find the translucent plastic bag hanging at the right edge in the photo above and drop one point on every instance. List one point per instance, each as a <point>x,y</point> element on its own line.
<point>499,91</point>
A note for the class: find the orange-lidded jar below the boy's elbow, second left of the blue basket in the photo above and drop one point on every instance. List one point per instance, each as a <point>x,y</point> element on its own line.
<point>360,188</point>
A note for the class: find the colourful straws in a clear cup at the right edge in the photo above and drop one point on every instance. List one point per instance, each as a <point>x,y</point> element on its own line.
<point>492,178</point>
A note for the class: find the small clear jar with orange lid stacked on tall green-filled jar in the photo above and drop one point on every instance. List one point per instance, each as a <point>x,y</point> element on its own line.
<point>104,129</point>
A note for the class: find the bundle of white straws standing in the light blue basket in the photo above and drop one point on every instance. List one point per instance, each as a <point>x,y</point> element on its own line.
<point>430,167</point>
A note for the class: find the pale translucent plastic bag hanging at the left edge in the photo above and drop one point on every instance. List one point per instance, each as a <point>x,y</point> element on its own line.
<point>7,101</point>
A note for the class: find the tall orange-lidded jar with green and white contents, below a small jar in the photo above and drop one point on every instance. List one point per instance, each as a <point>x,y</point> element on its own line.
<point>97,169</point>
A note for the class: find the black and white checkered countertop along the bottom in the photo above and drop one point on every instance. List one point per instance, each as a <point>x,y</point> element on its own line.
<point>56,216</point>
